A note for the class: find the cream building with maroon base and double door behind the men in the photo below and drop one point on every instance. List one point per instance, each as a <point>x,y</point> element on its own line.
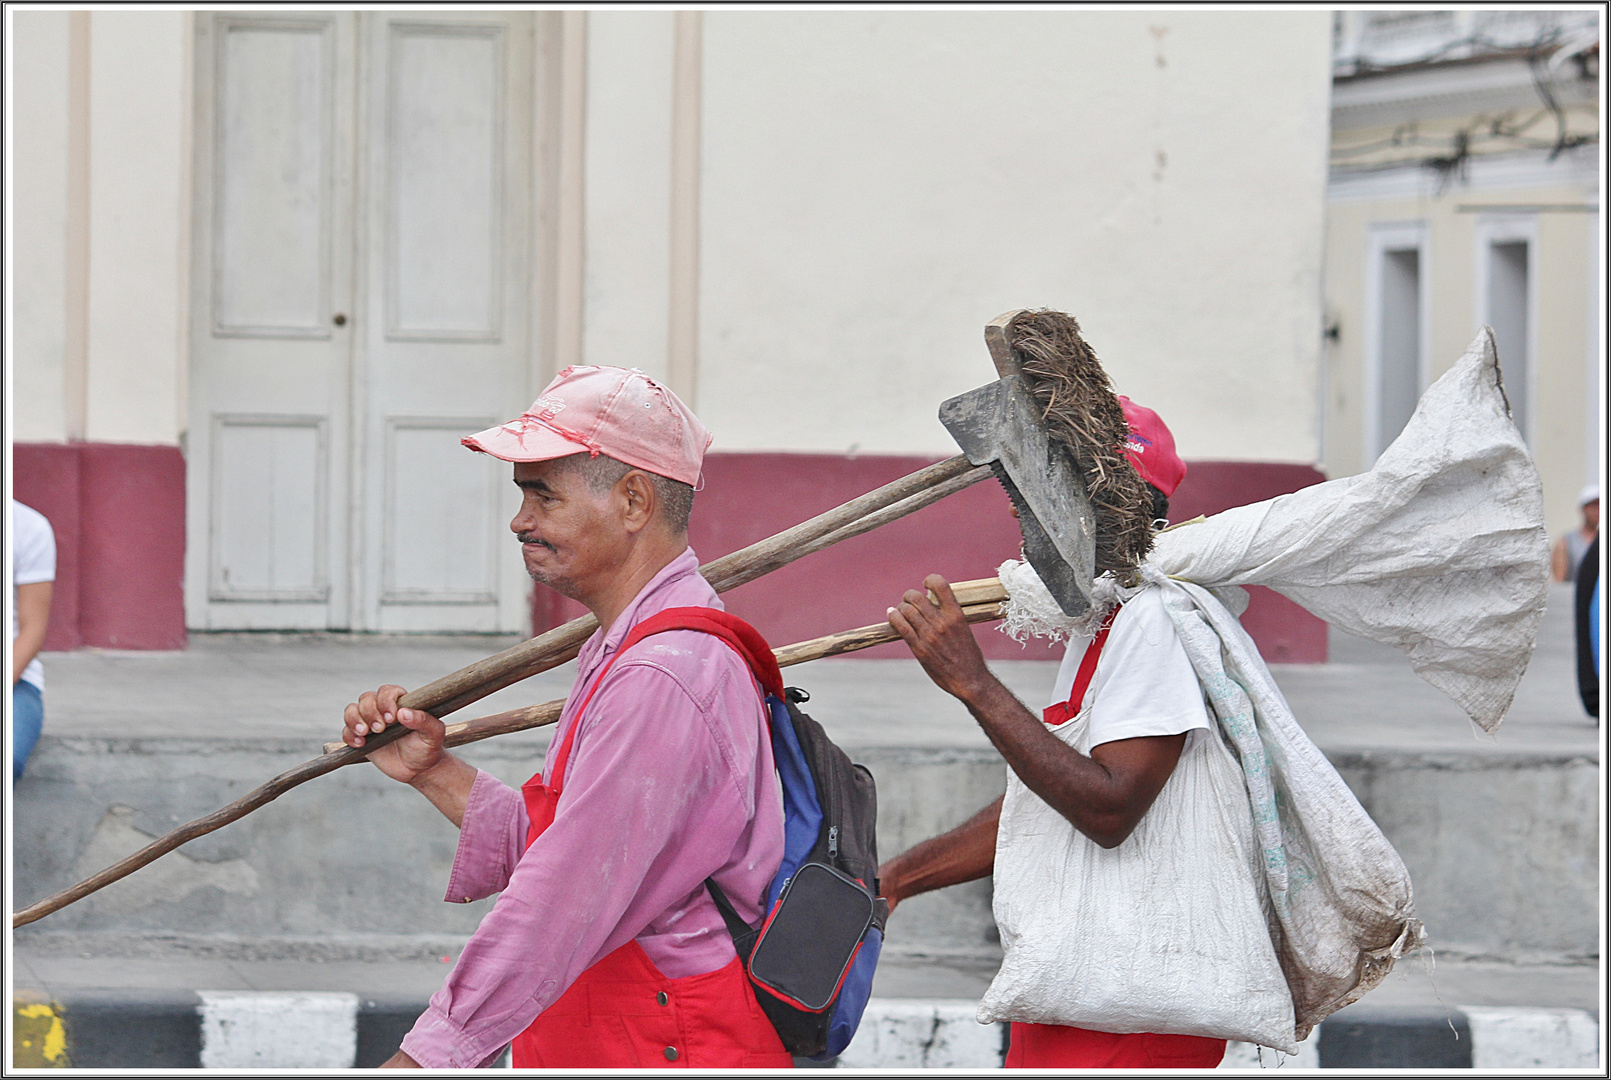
<point>270,268</point>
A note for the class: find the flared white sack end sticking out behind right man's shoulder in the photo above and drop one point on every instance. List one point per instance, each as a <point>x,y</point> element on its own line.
<point>1439,550</point>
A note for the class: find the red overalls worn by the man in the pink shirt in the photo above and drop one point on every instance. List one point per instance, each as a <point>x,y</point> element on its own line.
<point>623,1013</point>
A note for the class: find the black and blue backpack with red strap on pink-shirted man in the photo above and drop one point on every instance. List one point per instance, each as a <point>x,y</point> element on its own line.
<point>811,962</point>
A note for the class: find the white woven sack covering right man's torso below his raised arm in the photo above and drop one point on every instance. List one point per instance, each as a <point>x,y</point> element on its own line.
<point>1167,933</point>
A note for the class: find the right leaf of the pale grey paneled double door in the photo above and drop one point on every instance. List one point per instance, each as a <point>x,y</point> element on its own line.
<point>449,143</point>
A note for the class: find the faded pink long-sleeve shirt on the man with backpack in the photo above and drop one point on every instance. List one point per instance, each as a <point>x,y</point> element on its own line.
<point>671,781</point>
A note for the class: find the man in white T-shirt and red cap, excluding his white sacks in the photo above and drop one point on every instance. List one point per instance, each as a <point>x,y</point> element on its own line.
<point>1146,707</point>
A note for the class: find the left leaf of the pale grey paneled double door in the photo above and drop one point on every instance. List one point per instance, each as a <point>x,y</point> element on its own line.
<point>270,368</point>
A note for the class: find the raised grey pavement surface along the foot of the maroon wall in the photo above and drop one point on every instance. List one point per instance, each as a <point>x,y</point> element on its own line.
<point>233,686</point>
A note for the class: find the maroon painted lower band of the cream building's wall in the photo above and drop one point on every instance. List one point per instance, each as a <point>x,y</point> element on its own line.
<point>120,520</point>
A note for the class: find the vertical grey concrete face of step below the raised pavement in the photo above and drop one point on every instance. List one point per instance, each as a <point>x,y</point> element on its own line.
<point>1502,845</point>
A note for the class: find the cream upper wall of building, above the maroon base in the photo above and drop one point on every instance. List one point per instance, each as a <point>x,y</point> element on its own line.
<point>876,186</point>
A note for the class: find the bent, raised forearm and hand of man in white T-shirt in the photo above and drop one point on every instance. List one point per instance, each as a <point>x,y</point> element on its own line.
<point>1104,795</point>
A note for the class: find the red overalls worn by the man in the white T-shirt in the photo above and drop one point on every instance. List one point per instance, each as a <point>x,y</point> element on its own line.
<point>1059,1047</point>
